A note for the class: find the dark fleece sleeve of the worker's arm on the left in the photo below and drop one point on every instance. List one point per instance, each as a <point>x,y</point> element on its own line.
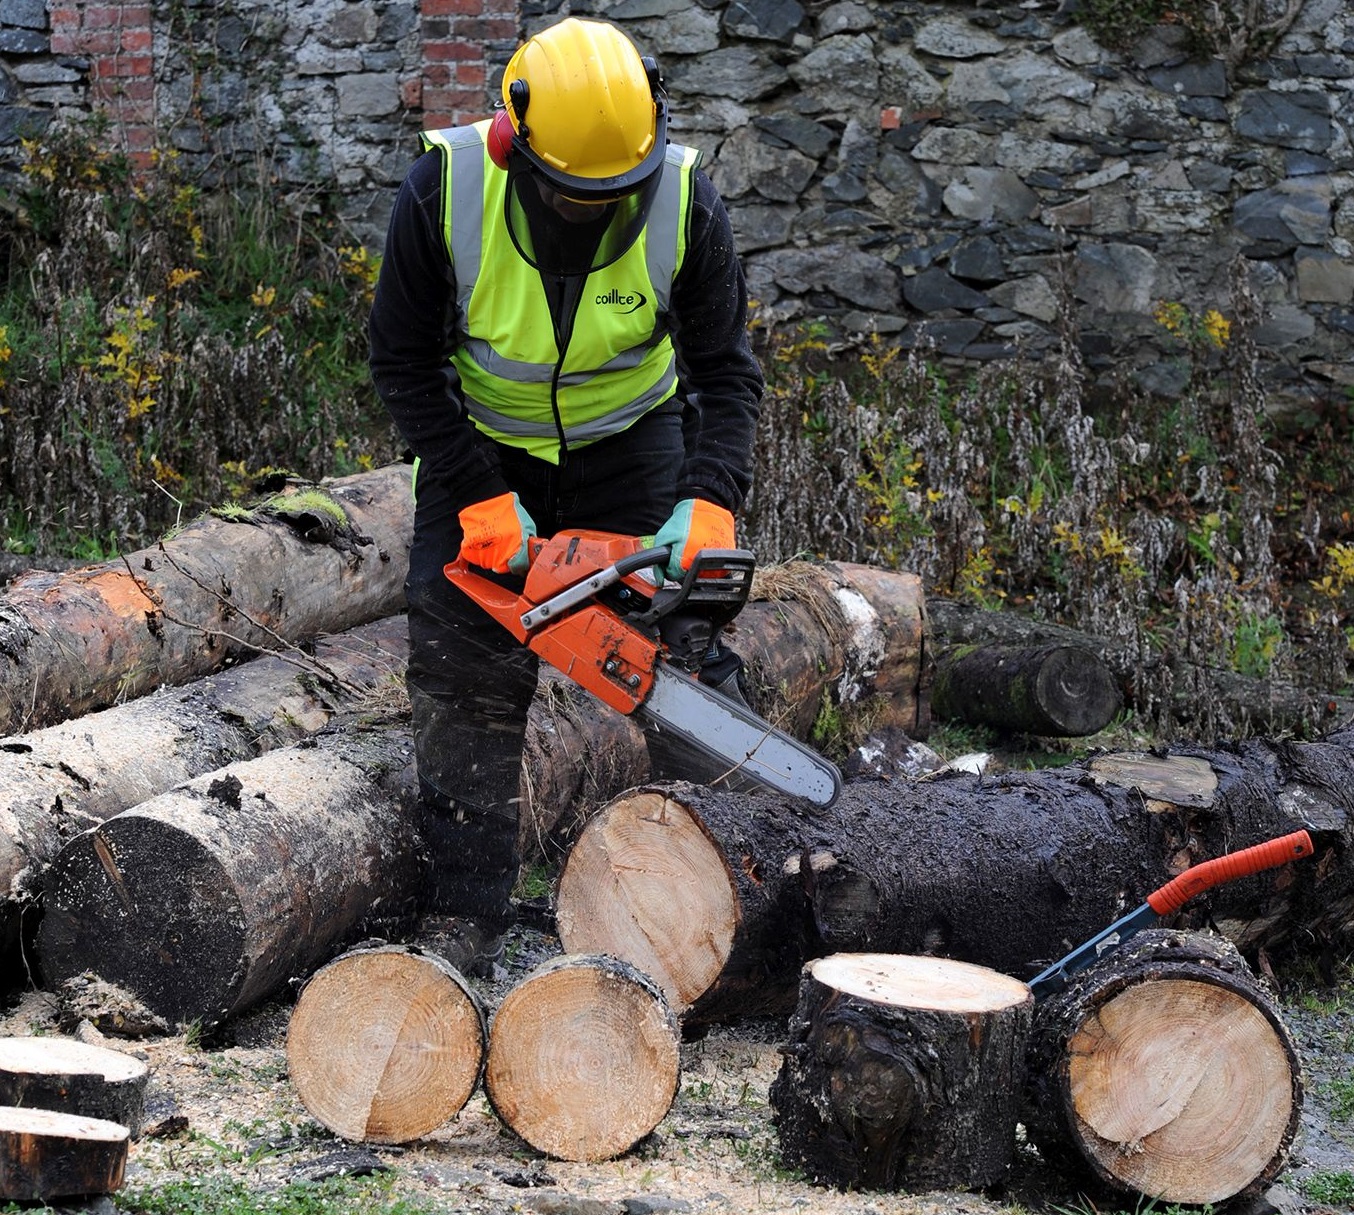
<point>412,337</point>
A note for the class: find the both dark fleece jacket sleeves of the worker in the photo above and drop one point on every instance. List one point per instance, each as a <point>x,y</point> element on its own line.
<point>411,331</point>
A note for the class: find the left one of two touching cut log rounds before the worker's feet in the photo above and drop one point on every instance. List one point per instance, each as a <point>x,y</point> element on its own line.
<point>387,1044</point>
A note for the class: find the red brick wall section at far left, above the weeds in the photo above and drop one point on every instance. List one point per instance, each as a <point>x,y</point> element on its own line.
<point>116,39</point>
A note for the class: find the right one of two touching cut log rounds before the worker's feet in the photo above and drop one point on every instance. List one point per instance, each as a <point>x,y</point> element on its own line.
<point>584,1059</point>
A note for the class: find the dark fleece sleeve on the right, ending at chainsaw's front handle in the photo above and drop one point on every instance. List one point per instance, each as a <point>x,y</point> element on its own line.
<point>720,376</point>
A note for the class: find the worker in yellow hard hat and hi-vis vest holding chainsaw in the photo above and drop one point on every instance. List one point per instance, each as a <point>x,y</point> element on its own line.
<point>560,337</point>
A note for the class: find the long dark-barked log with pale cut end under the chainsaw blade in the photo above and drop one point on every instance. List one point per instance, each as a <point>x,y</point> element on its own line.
<point>721,897</point>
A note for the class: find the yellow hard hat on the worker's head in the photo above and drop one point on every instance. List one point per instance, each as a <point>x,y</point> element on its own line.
<point>587,110</point>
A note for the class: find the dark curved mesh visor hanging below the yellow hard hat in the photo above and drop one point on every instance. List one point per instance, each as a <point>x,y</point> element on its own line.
<point>564,236</point>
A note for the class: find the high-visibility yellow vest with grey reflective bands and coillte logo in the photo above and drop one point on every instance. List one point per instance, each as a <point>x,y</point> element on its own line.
<point>619,362</point>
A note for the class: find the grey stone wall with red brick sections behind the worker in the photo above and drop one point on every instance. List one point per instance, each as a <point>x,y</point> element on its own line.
<point>951,170</point>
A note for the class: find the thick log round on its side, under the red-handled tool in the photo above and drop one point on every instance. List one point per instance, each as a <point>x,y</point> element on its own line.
<point>1165,1069</point>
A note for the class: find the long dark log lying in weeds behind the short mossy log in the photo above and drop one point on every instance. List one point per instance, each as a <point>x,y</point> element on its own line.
<point>1253,706</point>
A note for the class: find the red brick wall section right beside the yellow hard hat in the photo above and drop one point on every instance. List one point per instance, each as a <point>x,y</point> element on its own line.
<point>457,70</point>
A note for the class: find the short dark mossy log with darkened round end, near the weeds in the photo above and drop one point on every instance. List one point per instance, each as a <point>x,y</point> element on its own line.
<point>1054,691</point>
